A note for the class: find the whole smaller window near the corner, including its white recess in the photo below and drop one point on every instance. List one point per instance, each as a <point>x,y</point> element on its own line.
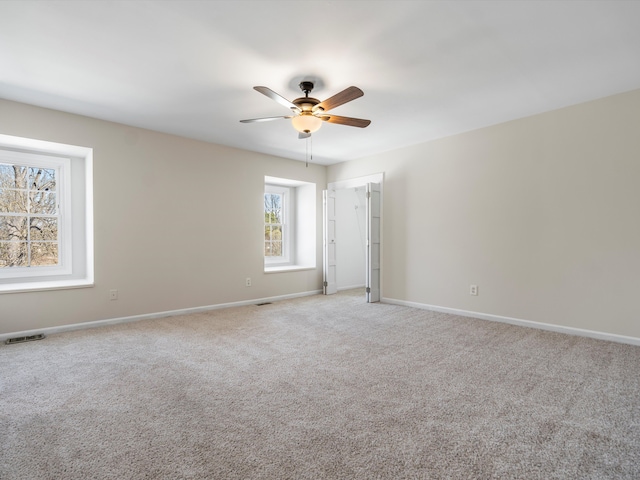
<point>289,225</point>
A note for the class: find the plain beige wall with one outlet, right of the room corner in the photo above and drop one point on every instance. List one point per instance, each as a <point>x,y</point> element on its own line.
<point>542,213</point>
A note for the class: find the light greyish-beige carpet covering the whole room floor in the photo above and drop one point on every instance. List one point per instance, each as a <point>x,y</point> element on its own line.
<point>314,388</point>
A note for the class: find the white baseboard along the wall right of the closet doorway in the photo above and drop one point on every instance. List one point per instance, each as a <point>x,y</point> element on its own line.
<point>519,322</point>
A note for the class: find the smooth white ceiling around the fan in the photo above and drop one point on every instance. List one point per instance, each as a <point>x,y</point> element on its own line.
<point>428,69</point>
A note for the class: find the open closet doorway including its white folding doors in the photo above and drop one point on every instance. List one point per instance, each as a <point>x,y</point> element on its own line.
<point>352,239</point>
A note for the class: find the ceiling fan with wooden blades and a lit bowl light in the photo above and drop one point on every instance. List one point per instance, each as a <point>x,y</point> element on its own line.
<point>308,113</point>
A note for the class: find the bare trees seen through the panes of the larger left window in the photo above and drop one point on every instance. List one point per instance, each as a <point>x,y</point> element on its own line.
<point>29,219</point>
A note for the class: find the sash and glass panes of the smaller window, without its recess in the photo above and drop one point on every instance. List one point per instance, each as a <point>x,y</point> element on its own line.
<point>278,205</point>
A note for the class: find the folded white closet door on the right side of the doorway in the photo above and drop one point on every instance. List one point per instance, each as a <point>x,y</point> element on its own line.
<point>373,242</point>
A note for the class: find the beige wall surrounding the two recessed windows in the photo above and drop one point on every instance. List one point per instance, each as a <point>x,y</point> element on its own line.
<point>177,223</point>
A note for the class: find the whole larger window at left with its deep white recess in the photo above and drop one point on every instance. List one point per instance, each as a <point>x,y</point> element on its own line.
<point>45,215</point>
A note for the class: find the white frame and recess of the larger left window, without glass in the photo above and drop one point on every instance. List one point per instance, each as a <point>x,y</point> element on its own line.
<point>74,185</point>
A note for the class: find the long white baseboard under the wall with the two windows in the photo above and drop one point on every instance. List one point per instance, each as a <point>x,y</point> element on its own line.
<point>135,318</point>
